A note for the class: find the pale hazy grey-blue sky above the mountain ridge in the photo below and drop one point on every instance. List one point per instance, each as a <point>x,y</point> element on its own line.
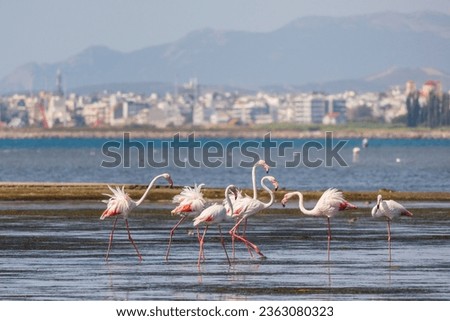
<point>47,31</point>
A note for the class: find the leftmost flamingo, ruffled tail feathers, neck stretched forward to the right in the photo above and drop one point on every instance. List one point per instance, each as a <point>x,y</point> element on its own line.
<point>120,204</point>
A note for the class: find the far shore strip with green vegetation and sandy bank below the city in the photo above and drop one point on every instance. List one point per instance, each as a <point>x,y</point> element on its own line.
<point>277,130</point>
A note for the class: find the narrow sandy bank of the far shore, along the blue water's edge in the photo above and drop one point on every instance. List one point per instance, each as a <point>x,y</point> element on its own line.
<point>237,132</point>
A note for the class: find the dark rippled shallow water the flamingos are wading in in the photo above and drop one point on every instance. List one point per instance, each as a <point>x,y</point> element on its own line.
<point>56,252</point>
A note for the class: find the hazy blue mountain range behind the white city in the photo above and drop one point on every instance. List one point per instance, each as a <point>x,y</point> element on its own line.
<point>365,52</point>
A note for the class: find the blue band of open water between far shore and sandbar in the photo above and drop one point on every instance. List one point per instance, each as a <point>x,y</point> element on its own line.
<point>397,164</point>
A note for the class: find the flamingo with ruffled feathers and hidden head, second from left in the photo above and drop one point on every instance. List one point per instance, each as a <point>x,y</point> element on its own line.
<point>190,203</point>
